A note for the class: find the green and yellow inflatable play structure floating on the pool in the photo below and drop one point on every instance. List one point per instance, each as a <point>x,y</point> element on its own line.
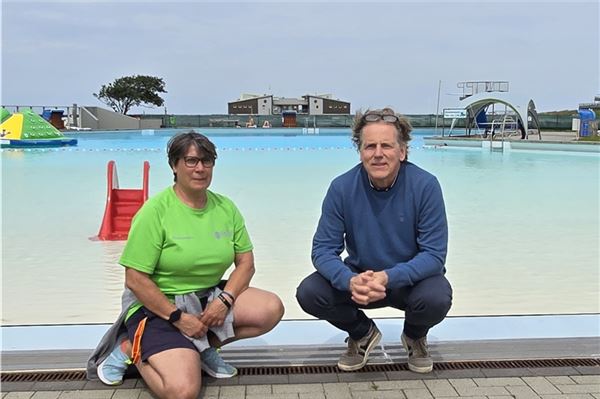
<point>26,129</point>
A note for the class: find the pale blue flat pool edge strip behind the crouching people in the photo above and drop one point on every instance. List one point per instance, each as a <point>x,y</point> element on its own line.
<point>316,332</point>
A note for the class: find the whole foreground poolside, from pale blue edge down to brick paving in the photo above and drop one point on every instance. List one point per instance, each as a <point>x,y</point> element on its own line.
<point>457,339</point>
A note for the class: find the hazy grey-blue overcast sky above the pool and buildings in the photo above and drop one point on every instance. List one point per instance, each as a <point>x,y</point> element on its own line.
<point>370,54</point>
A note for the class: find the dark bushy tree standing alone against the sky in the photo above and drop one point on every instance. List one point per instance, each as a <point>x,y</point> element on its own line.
<point>132,91</point>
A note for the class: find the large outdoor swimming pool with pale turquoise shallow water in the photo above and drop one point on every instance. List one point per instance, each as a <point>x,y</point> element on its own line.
<point>524,226</point>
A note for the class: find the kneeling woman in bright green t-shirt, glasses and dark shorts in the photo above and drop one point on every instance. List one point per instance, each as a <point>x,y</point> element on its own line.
<point>181,243</point>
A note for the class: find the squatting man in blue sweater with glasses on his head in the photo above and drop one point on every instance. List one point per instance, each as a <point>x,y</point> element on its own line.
<point>388,214</point>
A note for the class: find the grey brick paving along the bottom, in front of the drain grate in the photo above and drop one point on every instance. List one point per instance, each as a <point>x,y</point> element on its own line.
<point>525,387</point>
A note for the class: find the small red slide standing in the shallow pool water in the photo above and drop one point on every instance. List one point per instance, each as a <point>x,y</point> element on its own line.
<point>121,205</point>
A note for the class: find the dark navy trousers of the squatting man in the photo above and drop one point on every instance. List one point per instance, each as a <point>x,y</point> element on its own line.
<point>425,304</point>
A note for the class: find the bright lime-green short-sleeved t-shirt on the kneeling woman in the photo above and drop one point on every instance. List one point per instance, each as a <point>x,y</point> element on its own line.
<point>184,249</point>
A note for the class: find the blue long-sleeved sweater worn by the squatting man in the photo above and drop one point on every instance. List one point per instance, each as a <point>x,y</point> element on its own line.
<point>402,231</point>
